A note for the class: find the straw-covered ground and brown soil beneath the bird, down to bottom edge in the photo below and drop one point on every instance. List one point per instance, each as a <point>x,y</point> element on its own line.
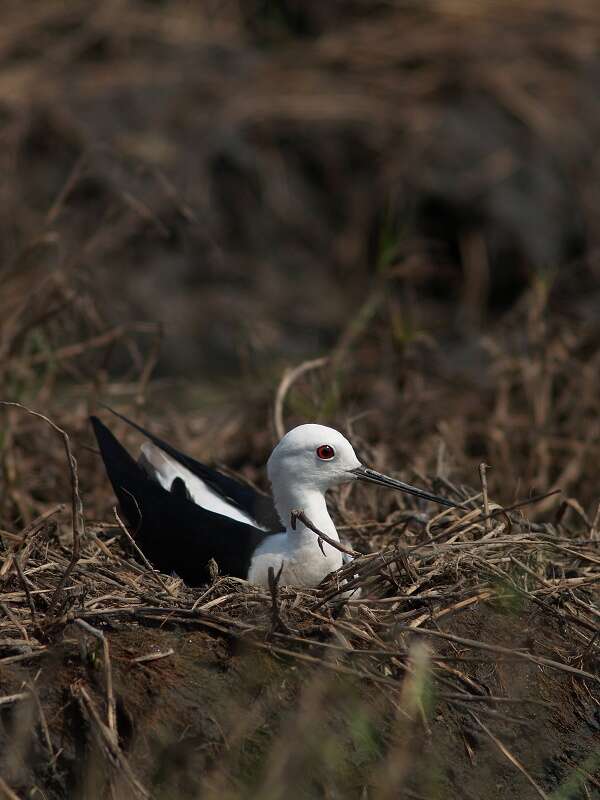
<point>497,696</point>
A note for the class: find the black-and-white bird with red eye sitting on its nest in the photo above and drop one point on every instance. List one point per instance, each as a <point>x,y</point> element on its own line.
<point>183,514</point>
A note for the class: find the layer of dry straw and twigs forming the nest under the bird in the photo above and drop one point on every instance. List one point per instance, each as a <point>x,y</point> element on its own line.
<point>426,571</point>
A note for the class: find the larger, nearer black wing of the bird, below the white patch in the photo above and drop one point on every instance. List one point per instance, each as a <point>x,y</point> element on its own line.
<point>175,534</point>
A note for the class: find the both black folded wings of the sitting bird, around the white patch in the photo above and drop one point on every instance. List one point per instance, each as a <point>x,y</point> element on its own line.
<point>175,533</point>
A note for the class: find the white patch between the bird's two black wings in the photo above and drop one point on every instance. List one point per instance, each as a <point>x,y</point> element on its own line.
<point>165,469</point>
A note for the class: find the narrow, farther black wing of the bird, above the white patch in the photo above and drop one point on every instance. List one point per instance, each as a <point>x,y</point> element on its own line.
<point>259,506</point>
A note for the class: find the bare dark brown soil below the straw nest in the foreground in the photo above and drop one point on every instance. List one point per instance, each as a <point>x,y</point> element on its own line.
<point>179,718</point>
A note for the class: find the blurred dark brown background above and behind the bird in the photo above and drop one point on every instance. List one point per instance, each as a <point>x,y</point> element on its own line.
<point>412,187</point>
